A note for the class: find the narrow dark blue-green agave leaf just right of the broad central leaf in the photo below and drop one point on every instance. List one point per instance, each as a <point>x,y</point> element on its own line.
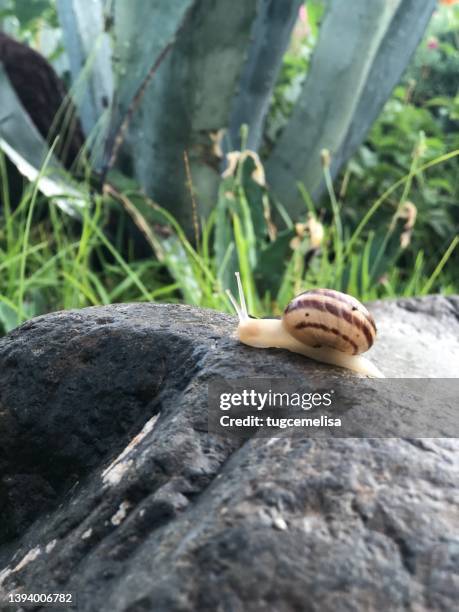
<point>270,35</point>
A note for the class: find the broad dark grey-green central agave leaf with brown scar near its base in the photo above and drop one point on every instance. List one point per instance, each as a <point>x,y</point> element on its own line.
<point>188,105</point>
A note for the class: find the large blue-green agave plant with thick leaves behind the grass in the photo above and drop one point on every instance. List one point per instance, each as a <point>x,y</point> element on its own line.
<point>153,80</point>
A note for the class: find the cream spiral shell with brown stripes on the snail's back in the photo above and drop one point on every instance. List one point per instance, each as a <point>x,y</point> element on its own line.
<point>324,317</point>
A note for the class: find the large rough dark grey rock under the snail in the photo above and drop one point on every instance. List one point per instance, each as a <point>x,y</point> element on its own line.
<point>112,488</point>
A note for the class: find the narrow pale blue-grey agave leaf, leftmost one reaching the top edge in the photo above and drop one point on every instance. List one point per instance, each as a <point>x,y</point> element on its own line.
<point>89,50</point>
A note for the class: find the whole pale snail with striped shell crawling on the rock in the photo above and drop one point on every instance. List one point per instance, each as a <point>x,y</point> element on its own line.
<point>322,324</point>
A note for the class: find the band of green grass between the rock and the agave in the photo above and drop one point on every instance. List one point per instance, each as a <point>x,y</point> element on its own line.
<point>50,262</point>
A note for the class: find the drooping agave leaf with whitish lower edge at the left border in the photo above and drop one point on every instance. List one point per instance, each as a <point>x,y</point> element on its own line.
<point>24,146</point>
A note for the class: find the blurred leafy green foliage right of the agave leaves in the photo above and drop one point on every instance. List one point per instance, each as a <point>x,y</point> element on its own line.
<point>419,123</point>
